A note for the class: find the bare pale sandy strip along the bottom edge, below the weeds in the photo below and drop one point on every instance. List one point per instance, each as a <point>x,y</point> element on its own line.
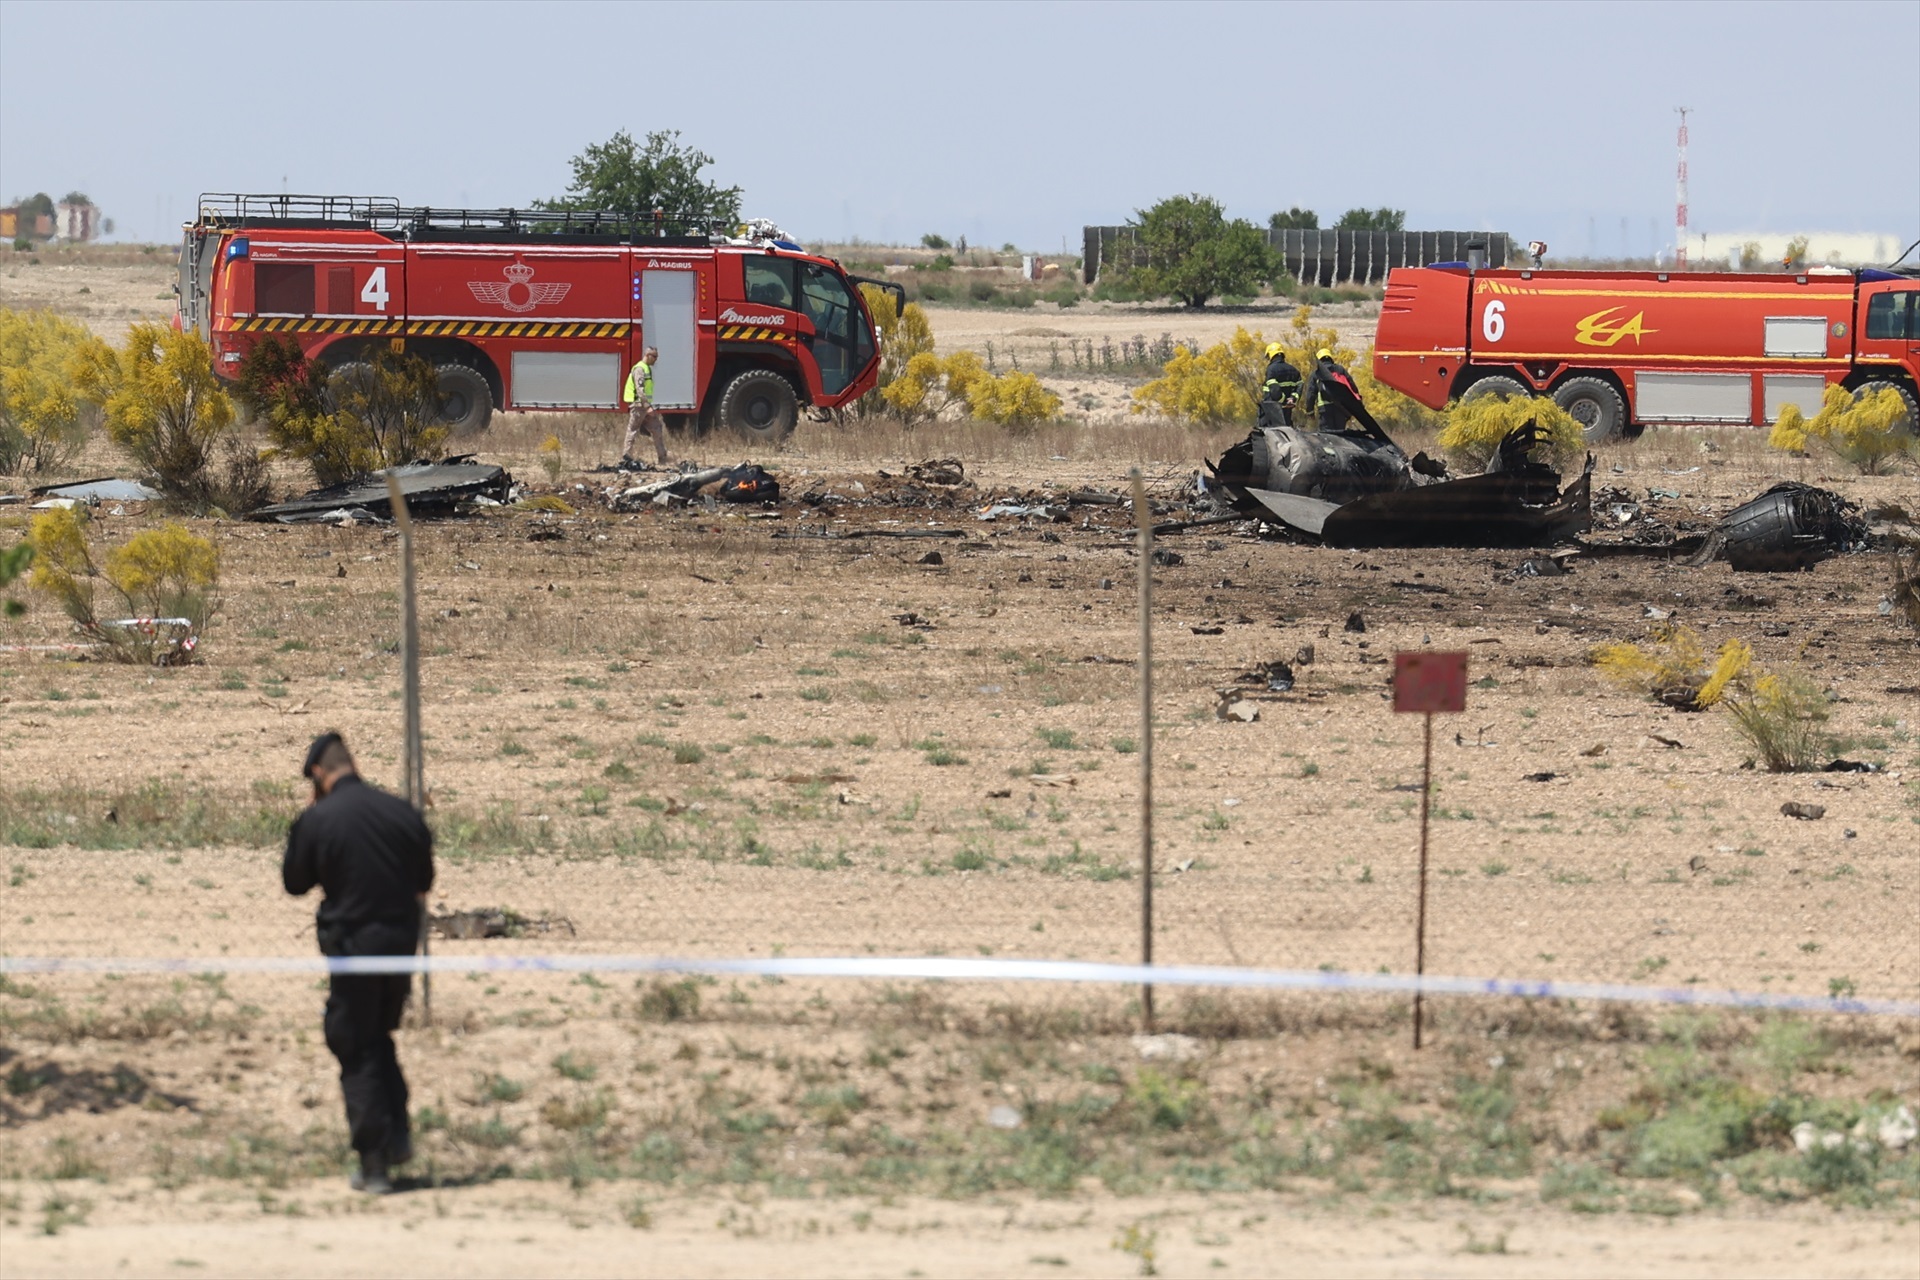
<point>519,1231</point>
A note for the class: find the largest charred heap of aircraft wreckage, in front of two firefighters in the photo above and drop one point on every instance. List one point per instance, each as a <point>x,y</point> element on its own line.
<point>1362,490</point>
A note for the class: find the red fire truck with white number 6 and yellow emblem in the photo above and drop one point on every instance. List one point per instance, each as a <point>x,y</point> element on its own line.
<point>1621,350</point>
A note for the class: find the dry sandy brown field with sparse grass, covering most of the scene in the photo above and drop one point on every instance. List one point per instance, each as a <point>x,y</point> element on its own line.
<point>717,734</point>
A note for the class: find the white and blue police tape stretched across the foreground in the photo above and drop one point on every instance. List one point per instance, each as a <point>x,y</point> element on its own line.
<point>963,970</point>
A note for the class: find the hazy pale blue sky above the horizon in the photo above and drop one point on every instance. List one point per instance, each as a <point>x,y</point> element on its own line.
<point>994,122</point>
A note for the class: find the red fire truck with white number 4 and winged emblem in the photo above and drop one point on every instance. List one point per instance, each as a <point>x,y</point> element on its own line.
<point>537,310</point>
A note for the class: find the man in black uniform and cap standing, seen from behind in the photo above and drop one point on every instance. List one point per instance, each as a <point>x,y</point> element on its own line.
<point>375,859</point>
